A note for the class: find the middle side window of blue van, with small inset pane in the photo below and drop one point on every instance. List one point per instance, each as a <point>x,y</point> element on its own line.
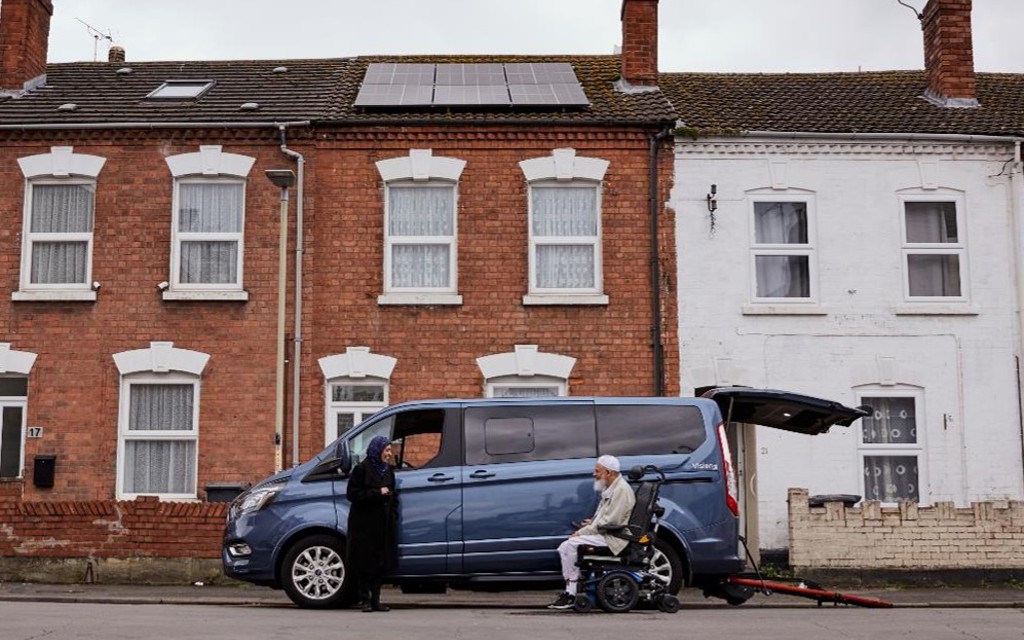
<point>497,435</point>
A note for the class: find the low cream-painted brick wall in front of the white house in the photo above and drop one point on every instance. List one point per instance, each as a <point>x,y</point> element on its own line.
<point>988,535</point>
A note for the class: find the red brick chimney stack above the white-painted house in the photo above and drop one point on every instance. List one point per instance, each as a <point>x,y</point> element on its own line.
<point>950,54</point>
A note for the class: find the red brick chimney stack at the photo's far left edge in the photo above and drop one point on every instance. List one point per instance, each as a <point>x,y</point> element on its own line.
<point>25,33</point>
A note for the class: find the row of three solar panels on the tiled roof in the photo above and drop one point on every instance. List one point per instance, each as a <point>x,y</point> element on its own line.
<point>493,84</point>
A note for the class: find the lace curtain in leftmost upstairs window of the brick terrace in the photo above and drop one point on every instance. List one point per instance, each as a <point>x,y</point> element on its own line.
<point>61,209</point>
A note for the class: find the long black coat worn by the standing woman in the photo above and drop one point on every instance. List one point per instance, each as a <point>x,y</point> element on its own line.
<point>373,521</point>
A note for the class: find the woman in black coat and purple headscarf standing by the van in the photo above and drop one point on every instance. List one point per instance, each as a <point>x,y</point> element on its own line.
<point>373,523</point>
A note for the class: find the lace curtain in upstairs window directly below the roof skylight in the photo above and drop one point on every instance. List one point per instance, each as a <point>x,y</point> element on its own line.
<point>210,208</point>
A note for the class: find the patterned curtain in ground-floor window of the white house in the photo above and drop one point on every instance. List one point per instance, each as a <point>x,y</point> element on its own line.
<point>888,478</point>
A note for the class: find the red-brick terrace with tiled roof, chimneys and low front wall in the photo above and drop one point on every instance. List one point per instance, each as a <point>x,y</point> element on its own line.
<point>472,243</point>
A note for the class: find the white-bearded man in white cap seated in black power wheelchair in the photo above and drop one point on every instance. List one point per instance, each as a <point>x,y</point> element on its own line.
<point>613,570</point>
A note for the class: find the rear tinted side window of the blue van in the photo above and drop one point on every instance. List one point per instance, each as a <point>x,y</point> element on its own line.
<point>649,430</point>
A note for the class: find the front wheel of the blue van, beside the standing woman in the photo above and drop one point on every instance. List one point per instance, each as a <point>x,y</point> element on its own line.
<point>314,574</point>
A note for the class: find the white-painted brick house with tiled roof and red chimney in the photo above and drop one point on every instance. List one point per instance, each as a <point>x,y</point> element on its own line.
<point>858,237</point>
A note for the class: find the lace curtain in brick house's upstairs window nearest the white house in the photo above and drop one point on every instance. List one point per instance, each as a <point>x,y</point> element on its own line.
<point>566,212</point>
